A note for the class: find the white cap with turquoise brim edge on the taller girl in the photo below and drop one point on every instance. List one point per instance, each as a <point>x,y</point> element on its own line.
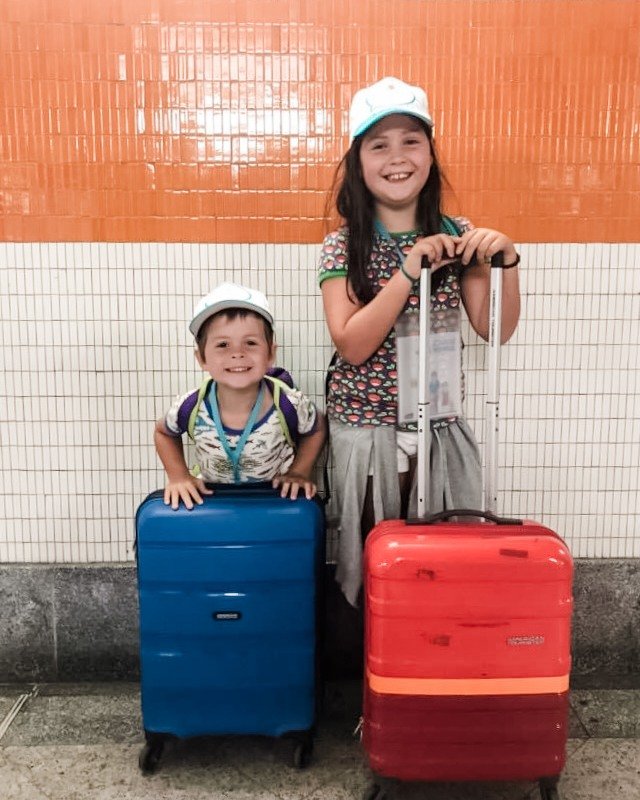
<point>388,96</point>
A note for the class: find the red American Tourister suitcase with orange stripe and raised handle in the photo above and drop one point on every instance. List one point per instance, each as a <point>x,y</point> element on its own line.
<point>467,630</point>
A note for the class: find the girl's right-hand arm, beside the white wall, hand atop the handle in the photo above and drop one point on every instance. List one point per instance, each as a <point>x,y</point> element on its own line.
<point>485,242</point>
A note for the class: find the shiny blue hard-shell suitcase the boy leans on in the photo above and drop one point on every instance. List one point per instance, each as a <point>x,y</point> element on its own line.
<point>229,607</point>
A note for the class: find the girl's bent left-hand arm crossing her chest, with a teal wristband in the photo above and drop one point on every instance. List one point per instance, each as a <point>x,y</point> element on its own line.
<point>358,330</point>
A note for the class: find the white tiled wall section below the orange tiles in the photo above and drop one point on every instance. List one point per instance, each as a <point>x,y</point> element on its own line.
<point>95,345</point>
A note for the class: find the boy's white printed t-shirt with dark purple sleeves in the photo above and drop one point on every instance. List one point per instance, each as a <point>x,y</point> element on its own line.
<point>266,452</point>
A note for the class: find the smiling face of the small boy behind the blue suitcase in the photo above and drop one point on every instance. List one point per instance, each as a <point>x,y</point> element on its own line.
<point>236,353</point>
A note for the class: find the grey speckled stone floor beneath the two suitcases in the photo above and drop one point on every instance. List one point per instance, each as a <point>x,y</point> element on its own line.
<point>81,742</point>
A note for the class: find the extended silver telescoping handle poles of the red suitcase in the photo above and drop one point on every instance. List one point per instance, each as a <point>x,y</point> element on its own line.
<point>492,394</point>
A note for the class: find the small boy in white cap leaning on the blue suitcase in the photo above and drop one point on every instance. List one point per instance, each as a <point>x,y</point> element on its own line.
<point>240,434</point>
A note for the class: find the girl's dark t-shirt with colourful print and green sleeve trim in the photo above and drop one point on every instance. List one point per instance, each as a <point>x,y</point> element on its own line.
<point>366,394</point>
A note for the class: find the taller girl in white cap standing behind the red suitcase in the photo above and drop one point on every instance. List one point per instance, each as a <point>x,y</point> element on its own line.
<point>390,197</point>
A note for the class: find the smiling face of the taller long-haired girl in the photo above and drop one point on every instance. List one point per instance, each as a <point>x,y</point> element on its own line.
<point>396,159</point>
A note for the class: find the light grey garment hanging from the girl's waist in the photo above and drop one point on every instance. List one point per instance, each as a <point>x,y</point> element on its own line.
<point>455,482</point>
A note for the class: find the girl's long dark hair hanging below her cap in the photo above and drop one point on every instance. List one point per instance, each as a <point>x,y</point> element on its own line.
<point>355,204</point>
